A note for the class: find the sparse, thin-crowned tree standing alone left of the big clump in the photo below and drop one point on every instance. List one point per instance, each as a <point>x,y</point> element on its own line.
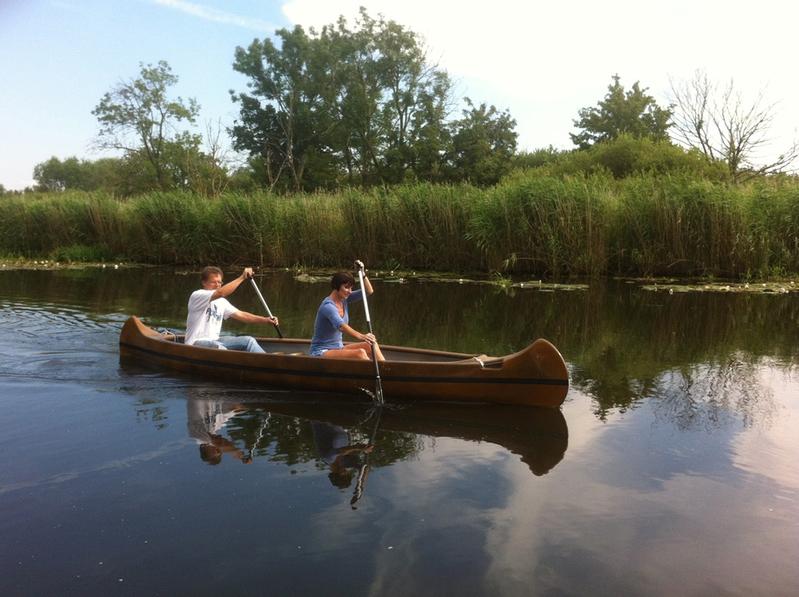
<point>138,118</point>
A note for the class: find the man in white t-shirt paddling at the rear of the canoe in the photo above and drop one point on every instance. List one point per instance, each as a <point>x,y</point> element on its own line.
<point>208,307</point>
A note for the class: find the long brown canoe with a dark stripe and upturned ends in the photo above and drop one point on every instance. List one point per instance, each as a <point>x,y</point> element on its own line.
<point>534,376</point>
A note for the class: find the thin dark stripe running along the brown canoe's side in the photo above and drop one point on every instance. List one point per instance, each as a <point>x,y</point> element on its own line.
<point>521,381</point>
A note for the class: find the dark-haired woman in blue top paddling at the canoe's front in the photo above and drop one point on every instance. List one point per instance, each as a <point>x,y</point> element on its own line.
<point>333,318</point>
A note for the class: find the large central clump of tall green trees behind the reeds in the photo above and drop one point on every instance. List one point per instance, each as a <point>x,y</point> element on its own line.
<point>359,106</point>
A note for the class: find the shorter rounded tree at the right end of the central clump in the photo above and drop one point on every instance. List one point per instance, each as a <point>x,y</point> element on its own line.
<point>483,143</point>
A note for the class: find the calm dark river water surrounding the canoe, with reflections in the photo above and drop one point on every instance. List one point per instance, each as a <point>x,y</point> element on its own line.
<point>671,468</point>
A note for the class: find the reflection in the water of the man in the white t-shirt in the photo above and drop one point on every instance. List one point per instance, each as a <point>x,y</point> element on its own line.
<point>205,420</point>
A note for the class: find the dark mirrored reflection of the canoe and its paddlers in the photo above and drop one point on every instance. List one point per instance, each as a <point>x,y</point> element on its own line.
<point>346,439</point>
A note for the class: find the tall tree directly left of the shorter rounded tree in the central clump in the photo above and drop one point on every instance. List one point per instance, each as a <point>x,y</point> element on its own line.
<point>393,103</point>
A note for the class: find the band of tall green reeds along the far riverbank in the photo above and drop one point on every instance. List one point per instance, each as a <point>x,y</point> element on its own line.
<point>531,223</point>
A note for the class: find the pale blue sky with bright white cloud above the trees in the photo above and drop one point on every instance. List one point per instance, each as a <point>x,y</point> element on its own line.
<point>542,61</point>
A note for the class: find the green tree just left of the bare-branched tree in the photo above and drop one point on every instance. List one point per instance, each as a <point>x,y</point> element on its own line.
<point>632,112</point>
